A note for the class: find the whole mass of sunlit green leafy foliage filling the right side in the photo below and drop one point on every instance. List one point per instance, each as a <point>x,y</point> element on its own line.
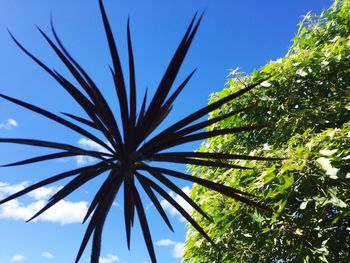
<point>308,97</point>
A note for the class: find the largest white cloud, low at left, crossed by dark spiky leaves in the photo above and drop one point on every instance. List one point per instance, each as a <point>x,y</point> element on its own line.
<point>63,212</point>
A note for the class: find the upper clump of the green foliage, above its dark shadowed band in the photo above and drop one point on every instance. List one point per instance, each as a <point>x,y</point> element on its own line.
<point>309,87</point>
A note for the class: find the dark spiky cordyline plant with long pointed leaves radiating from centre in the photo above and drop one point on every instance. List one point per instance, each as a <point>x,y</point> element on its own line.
<point>129,150</point>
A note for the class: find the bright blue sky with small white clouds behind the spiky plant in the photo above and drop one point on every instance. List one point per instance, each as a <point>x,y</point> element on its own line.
<point>245,34</point>
